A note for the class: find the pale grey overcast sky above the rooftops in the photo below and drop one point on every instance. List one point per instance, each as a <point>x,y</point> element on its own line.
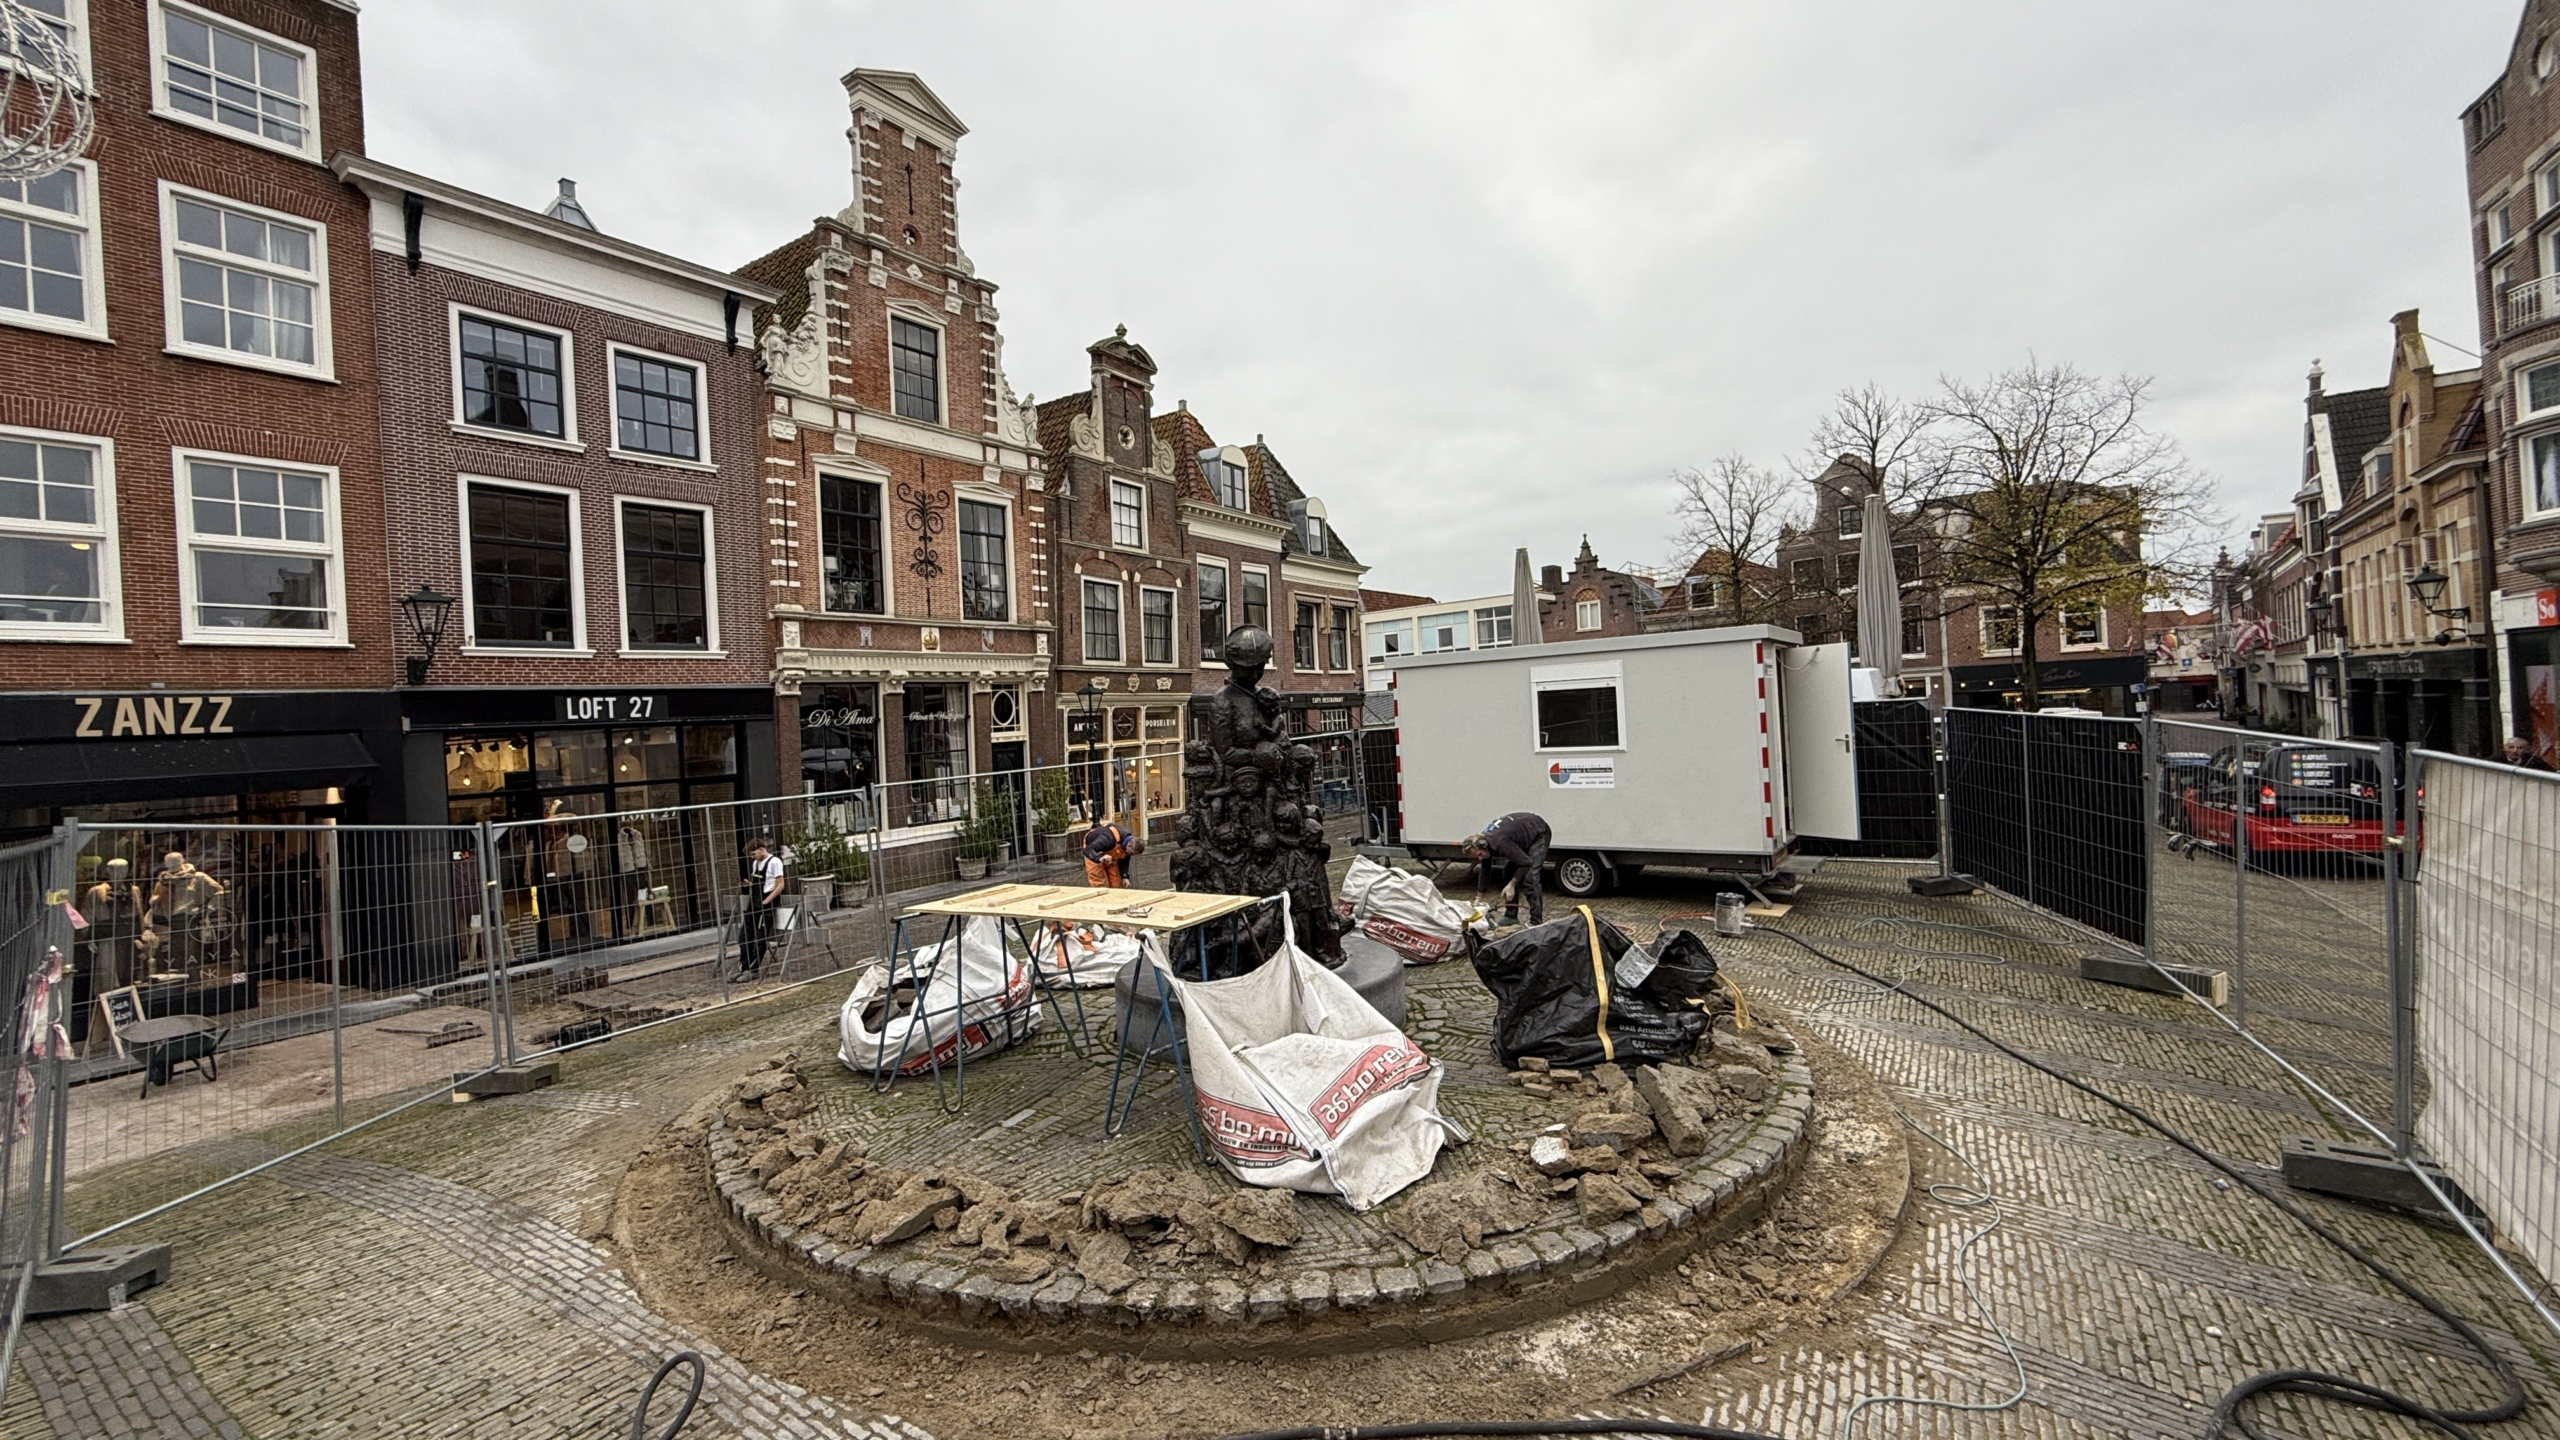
<point>1489,273</point>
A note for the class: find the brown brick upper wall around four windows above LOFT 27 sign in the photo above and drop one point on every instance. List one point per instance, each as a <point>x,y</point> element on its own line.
<point>424,457</point>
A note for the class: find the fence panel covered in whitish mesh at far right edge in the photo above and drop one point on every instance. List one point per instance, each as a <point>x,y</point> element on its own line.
<point>2490,993</point>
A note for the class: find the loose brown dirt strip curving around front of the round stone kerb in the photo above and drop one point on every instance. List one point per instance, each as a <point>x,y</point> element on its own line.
<point>1650,1346</point>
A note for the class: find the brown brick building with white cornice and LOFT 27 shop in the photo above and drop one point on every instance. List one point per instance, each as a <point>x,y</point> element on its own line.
<point>570,434</point>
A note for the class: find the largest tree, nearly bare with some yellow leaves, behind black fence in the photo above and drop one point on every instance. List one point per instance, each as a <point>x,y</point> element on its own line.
<point>2054,498</point>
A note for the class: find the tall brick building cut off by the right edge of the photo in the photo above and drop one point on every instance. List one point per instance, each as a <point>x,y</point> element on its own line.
<point>2513,137</point>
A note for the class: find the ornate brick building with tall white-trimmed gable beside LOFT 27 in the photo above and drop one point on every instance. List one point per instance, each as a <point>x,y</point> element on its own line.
<point>908,516</point>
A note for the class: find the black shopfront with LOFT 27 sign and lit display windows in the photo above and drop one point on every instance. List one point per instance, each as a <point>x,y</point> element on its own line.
<point>621,808</point>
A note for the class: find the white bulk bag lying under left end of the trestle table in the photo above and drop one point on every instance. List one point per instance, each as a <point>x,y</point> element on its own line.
<point>974,1003</point>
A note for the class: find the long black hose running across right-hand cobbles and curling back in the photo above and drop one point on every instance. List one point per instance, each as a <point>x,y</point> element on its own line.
<point>2272,1382</point>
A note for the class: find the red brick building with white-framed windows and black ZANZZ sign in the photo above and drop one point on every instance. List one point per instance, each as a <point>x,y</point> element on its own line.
<point>193,619</point>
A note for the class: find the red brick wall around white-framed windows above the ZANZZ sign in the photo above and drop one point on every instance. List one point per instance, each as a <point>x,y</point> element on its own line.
<point>147,401</point>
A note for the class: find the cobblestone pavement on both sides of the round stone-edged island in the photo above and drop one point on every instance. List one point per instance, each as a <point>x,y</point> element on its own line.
<point>452,1270</point>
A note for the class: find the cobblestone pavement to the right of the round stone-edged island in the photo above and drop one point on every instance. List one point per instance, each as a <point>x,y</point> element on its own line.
<point>2136,1282</point>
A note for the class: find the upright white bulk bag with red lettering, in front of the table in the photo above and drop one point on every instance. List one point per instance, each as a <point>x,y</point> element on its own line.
<point>1304,1088</point>
